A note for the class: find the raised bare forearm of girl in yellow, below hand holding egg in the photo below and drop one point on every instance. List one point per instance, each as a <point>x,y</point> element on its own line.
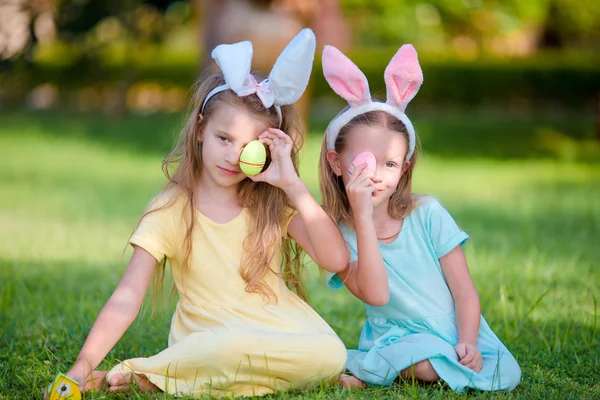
<point>315,232</point>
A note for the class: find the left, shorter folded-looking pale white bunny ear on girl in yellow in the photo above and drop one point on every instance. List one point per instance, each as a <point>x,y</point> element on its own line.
<point>235,61</point>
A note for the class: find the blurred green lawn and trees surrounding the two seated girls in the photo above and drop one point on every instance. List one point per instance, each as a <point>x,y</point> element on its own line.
<point>92,95</point>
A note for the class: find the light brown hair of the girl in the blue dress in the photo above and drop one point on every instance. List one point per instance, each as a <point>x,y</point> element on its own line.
<point>335,199</point>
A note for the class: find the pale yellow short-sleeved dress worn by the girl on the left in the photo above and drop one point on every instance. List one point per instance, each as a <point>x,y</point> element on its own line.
<point>224,341</point>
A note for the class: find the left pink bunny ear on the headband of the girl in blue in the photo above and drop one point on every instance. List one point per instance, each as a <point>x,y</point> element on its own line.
<point>344,77</point>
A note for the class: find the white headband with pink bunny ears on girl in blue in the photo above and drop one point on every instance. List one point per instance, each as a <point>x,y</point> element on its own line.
<point>403,78</point>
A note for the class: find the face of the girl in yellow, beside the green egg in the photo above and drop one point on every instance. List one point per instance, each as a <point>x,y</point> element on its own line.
<point>224,137</point>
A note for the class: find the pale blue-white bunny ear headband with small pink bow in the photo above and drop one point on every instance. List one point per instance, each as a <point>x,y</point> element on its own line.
<point>286,82</point>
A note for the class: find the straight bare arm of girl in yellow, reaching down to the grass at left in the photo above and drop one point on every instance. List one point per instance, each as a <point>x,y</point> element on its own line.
<point>117,314</point>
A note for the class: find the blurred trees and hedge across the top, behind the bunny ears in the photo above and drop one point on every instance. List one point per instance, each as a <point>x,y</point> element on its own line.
<point>143,55</point>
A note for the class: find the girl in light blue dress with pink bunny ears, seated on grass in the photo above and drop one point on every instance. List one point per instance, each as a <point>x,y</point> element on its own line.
<point>407,263</point>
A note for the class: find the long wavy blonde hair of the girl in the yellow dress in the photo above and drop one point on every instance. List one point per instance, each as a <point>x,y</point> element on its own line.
<point>267,204</point>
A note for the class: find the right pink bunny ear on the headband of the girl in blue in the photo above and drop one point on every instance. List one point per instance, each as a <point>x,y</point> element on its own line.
<point>403,77</point>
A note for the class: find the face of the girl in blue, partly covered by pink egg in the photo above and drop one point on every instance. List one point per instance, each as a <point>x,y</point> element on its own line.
<point>389,148</point>
